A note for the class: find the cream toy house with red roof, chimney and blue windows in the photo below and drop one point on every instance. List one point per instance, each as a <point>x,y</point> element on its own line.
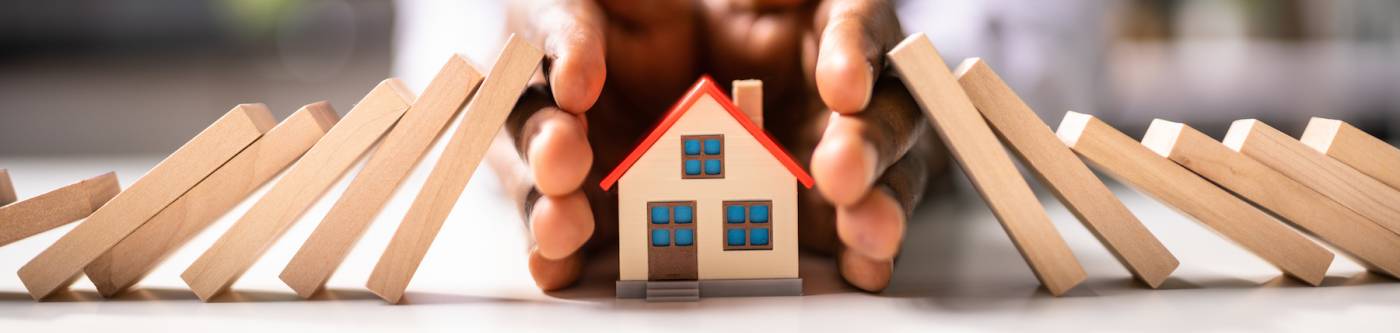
<point>708,205</point>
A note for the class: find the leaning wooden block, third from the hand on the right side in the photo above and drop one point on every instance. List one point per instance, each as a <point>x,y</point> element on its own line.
<point>1135,164</point>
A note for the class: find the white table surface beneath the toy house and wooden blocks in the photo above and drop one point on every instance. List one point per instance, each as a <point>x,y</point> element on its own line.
<point>958,271</point>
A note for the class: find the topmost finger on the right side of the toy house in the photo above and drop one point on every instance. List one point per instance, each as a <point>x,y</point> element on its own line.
<point>856,34</point>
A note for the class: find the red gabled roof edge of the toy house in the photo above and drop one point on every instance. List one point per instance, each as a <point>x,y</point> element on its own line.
<point>708,87</point>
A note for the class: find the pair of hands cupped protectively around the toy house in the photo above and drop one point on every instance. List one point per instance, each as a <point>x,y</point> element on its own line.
<point>621,64</point>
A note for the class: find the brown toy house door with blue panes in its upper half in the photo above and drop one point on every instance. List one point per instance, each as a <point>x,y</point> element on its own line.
<point>671,250</point>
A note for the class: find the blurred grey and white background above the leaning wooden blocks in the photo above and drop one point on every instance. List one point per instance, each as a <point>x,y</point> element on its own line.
<point>142,78</point>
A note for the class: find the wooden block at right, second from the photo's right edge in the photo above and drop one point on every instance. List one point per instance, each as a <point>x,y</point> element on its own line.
<point>1349,187</point>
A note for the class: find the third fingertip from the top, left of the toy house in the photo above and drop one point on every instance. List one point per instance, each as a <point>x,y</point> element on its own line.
<point>562,225</point>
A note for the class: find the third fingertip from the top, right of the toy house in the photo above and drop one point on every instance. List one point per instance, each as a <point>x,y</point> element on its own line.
<point>874,227</point>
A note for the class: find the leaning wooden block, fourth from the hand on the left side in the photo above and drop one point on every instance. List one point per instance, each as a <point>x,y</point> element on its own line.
<point>149,246</point>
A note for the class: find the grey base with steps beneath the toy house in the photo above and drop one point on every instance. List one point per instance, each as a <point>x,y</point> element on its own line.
<point>694,290</point>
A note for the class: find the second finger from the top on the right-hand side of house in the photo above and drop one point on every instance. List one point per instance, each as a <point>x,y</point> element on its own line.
<point>859,148</point>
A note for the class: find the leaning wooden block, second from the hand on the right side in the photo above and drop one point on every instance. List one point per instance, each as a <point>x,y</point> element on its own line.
<point>1066,176</point>
